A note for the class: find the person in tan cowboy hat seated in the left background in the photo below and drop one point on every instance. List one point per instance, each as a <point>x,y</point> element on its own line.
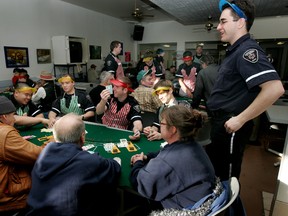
<point>46,93</point>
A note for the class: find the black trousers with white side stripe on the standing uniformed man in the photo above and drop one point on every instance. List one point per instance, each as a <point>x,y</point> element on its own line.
<point>226,150</point>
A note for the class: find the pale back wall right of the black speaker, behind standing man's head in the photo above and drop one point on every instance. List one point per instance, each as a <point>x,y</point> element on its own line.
<point>167,32</point>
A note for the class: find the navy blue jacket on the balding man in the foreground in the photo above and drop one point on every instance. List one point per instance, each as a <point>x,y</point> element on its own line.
<point>69,181</point>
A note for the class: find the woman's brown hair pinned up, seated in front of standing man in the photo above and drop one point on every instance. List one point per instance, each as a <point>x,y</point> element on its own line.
<point>186,120</point>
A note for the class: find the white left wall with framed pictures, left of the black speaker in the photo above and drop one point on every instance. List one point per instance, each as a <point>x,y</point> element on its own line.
<point>32,23</point>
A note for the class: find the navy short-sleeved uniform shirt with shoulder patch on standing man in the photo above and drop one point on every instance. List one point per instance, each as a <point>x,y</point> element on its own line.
<point>238,79</point>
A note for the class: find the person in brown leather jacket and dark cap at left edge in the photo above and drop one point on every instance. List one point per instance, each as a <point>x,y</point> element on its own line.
<point>17,157</point>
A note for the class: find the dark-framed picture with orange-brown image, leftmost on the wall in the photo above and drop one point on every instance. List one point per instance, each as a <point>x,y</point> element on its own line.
<point>16,57</point>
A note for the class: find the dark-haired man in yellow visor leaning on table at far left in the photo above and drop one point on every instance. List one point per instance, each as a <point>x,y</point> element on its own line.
<point>25,109</point>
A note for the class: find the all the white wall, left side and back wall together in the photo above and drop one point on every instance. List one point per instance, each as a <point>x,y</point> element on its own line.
<point>32,23</point>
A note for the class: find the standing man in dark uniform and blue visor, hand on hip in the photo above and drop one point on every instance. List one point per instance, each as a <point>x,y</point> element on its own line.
<point>246,86</point>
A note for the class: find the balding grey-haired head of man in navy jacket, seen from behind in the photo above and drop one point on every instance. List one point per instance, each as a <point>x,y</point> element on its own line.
<point>68,129</point>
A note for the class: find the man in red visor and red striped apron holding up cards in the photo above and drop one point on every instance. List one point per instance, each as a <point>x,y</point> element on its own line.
<point>120,109</point>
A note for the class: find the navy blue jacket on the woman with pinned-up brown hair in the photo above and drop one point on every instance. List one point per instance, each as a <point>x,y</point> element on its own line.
<point>179,176</point>
